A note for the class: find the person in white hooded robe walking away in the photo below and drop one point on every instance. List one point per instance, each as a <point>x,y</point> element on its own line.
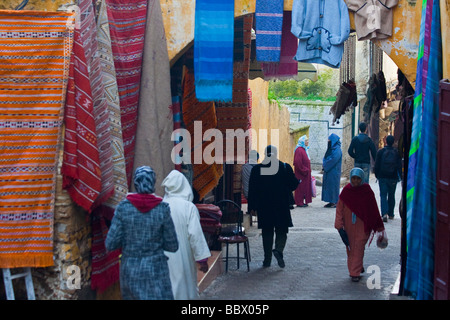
<point>192,243</point>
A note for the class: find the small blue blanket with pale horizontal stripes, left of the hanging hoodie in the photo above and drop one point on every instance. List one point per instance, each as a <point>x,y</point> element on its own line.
<point>269,21</point>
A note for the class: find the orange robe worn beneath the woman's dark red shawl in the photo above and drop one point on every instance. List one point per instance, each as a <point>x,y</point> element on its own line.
<point>356,235</point>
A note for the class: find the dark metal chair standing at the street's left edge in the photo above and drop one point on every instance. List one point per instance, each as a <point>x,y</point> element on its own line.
<point>232,231</point>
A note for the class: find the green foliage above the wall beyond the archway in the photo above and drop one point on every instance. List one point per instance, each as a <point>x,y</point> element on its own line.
<point>306,89</point>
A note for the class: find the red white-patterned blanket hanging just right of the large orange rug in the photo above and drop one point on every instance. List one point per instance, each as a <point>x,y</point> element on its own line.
<point>81,165</point>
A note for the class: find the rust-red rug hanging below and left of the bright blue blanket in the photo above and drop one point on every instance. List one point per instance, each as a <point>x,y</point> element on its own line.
<point>206,176</point>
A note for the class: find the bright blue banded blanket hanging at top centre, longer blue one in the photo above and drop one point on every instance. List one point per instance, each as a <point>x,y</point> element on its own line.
<point>213,50</point>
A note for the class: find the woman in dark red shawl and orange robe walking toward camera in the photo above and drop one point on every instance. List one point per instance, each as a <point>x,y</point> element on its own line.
<point>357,217</point>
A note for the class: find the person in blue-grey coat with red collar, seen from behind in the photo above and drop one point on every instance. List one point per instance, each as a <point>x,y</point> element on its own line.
<point>143,228</point>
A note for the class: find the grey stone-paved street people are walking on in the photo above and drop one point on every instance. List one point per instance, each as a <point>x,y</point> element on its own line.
<point>316,265</point>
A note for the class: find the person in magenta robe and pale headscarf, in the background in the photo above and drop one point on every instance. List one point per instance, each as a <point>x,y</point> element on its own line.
<point>302,169</point>
